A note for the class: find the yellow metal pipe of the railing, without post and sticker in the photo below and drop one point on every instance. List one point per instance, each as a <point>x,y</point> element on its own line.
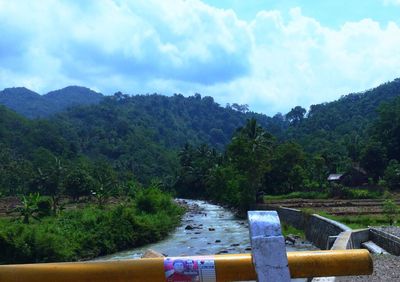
<point>230,267</point>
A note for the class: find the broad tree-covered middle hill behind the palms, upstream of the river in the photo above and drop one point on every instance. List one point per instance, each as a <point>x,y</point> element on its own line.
<point>144,133</point>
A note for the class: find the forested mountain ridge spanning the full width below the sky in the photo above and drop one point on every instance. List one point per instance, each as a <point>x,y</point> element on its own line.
<point>142,134</point>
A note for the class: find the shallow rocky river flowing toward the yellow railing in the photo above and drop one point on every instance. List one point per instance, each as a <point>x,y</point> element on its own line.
<point>206,229</point>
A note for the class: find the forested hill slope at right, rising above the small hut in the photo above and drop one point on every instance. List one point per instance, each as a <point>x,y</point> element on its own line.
<point>340,130</point>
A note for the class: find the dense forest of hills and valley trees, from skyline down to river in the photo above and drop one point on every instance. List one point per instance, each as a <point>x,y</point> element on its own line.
<point>194,147</point>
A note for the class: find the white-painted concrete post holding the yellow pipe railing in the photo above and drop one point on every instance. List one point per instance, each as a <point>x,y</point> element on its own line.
<point>268,247</point>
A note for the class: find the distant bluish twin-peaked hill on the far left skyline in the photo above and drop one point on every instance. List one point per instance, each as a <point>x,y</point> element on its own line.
<point>32,105</point>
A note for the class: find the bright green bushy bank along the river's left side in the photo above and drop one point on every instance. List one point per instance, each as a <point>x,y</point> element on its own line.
<point>90,232</point>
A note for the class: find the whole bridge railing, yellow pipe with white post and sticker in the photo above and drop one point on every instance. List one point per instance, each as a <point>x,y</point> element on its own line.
<point>268,262</point>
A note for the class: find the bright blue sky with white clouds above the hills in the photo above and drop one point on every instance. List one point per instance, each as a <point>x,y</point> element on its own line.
<point>272,55</point>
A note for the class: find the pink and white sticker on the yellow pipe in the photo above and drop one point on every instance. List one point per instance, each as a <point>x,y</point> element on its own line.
<point>188,269</point>
